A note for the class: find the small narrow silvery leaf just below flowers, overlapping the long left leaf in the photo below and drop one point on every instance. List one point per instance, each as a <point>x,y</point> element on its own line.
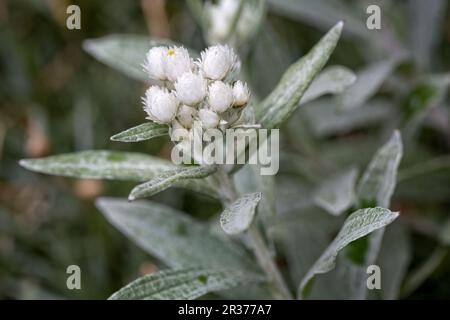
<point>168,178</point>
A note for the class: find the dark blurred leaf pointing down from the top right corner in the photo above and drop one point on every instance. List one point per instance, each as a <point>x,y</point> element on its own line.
<point>425,28</point>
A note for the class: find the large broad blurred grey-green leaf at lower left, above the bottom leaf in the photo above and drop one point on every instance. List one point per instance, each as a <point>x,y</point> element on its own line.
<point>173,236</point>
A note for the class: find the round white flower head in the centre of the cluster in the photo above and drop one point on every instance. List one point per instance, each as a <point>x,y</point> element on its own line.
<point>190,88</point>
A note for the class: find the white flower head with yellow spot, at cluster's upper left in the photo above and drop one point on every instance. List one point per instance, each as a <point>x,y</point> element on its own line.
<point>177,62</point>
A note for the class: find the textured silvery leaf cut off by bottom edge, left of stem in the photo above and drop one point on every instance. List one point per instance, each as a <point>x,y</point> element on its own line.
<point>183,284</point>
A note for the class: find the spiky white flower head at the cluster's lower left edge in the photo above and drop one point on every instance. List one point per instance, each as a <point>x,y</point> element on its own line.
<point>160,105</point>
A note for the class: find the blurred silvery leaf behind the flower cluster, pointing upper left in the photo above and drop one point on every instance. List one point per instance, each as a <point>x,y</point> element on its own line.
<point>124,52</point>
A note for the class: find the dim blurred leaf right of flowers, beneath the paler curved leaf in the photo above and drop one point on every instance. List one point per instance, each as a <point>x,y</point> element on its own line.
<point>326,118</point>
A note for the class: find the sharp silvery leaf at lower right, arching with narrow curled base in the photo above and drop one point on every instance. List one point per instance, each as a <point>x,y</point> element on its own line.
<point>357,225</point>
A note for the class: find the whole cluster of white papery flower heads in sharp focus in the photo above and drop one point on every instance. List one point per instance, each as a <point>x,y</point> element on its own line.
<point>204,90</point>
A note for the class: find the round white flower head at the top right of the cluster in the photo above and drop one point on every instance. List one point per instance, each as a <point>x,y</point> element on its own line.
<point>217,62</point>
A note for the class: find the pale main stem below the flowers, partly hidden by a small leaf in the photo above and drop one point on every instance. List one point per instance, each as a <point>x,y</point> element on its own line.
<point>262,253</point>
